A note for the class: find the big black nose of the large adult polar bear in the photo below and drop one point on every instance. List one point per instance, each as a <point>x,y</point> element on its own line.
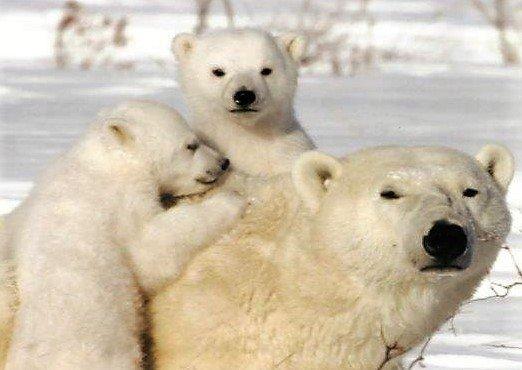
<point>445,241</point>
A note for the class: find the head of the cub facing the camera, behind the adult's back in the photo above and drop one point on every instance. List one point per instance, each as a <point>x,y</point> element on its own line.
<point>242,75</point>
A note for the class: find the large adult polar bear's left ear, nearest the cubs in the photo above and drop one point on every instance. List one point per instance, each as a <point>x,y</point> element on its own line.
<point>312,175</point>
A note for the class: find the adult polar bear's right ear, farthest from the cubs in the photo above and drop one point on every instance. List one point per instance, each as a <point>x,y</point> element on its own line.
<point>498,161</point>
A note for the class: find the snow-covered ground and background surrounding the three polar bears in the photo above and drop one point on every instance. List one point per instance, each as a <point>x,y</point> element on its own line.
<point>449,89</point>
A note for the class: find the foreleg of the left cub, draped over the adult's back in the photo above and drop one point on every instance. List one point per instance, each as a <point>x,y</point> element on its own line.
<point>171,238</point>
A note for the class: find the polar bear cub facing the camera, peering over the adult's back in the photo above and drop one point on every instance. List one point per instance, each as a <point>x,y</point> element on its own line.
<point>239,86</point>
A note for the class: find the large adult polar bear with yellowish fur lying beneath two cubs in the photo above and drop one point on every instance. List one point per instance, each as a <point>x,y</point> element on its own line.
<point>346,264</point>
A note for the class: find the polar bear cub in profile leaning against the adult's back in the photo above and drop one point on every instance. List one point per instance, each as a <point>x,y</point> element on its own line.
<point>93,236</point>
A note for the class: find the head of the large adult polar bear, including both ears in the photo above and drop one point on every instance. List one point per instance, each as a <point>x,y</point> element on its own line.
<point>409,213</point>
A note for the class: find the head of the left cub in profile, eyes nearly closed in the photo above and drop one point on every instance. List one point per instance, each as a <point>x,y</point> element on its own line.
<point>155,137</point>
